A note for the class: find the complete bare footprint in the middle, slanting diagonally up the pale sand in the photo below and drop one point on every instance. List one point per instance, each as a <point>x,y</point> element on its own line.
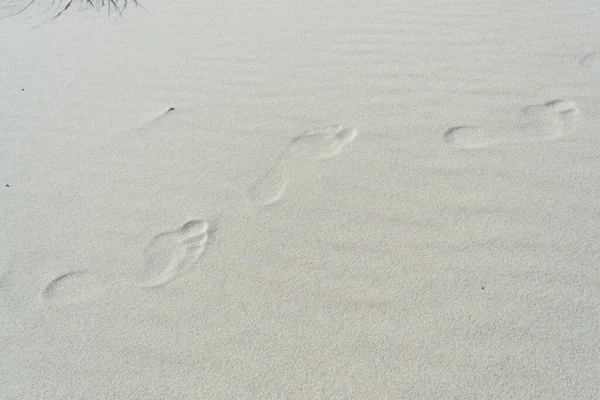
<point>321,143</point>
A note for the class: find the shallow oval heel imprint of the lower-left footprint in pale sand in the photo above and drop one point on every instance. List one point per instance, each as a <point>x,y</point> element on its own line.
<point>72,287</point>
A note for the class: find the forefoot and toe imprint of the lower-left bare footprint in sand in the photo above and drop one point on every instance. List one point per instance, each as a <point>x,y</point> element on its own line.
<point>171,254</point>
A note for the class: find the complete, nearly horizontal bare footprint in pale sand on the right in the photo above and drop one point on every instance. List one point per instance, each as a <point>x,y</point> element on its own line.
<point>536,123</point>
